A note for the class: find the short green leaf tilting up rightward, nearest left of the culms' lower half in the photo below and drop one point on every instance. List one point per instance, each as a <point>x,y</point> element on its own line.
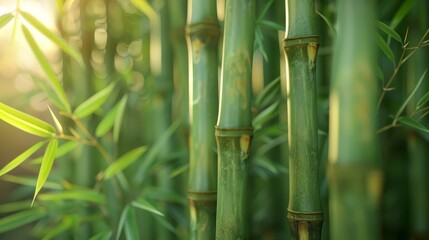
<point>123,162</point>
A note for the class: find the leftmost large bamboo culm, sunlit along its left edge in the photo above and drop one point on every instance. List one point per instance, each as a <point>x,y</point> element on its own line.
<point>203,37</point>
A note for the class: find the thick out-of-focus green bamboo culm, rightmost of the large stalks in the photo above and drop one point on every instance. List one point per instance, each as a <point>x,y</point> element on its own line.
<point>353,172</point>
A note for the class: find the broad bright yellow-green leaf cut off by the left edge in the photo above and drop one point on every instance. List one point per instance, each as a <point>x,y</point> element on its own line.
<point>25,122</point>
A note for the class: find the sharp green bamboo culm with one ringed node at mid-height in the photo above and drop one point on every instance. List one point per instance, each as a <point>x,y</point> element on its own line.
<point>234,125</point>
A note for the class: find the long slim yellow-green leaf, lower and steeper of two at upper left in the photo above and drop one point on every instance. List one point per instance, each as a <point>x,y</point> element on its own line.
<point>46,66</point>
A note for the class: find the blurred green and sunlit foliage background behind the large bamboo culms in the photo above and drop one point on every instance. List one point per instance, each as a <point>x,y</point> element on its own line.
<point>139,46</point>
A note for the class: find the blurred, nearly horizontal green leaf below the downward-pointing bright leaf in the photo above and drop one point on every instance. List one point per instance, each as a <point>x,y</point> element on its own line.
<point>86,195</point>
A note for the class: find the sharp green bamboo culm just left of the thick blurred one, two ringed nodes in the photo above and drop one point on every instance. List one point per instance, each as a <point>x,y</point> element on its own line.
<point>301,45</point>
